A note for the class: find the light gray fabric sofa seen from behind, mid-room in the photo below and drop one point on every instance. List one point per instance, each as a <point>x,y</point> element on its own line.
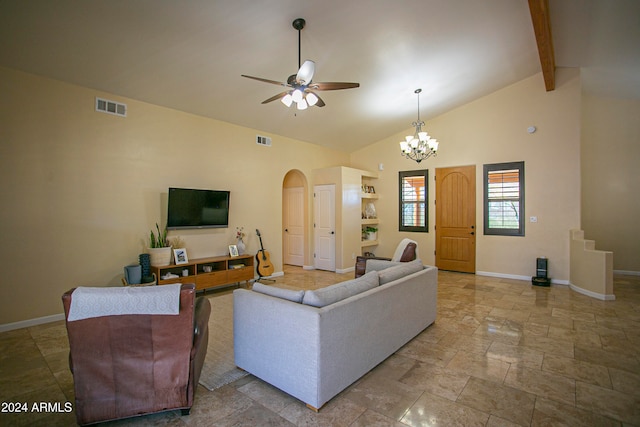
<point>314,344</point>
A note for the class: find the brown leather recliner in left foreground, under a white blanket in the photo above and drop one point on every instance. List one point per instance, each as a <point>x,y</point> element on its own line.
<point>128,365</point>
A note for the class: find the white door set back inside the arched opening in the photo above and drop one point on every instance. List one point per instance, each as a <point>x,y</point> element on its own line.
<point>294,226</point>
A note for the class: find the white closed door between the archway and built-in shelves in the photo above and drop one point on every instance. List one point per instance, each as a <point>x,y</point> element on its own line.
<point>324,224</point>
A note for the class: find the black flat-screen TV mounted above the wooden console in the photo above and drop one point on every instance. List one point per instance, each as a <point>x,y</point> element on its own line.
<point>191,208</point>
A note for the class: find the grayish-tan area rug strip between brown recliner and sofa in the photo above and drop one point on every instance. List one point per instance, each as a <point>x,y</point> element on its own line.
<point>219,368</point>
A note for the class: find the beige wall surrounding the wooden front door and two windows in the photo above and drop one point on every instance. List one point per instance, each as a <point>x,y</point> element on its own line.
<point>493,129</point>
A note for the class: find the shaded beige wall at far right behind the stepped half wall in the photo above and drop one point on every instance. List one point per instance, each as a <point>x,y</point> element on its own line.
<point>611,178</point>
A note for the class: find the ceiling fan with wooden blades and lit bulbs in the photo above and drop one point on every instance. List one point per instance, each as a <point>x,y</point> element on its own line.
<point>300,85</point>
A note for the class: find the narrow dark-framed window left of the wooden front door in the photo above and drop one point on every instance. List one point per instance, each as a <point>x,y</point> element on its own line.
<point>413,193</point>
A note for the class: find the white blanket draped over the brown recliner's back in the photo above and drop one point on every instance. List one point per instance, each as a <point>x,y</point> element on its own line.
<point>95,302</point>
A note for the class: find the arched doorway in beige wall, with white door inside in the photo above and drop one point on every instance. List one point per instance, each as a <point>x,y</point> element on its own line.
<point>295,219</point>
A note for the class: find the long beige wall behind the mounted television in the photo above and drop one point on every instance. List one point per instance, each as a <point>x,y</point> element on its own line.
<point>81,190</point>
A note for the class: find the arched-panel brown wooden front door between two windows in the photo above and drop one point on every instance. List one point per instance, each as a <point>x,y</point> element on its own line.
<point>456,218</point>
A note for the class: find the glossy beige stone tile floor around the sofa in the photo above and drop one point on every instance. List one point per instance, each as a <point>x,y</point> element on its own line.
<point>501,353</point>
